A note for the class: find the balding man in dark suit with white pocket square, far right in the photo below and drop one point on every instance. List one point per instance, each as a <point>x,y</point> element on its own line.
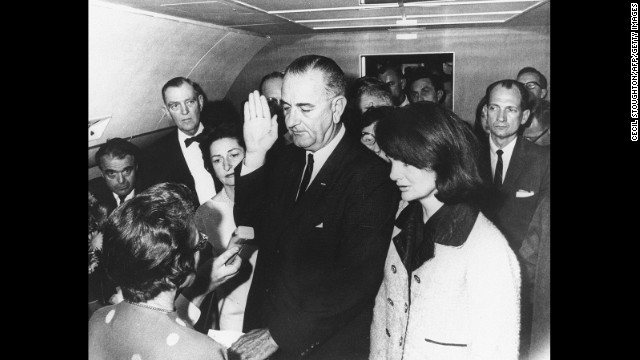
<point>524,176</point>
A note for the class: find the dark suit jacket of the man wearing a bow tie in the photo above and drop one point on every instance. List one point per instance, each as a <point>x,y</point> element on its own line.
<point>164,162</point>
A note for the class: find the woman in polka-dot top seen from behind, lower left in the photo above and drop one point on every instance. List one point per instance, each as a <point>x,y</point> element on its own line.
<point>151,249</point>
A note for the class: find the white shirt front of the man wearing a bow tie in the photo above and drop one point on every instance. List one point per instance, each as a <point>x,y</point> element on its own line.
<point>205,187</point>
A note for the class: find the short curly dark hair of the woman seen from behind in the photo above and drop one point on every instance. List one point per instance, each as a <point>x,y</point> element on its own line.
<point>147,243</point>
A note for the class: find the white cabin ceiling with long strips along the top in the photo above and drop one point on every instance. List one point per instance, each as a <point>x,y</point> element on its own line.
<point>280,17</point>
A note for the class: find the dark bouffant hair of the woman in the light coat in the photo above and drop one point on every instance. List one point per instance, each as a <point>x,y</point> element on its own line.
<point>430,136</point>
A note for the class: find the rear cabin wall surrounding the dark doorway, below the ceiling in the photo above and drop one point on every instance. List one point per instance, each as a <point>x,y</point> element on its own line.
<point>482,55</point>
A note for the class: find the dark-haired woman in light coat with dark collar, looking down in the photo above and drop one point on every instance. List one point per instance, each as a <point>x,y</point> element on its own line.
<point>451,283</point>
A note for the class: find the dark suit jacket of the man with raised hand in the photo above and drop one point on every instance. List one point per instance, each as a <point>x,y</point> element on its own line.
<point>321,259</point>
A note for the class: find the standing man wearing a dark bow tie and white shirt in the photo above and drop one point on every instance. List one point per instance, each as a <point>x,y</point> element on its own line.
<point>174,157</point>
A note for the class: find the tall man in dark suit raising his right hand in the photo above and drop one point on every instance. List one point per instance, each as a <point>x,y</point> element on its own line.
<point>323,213</point>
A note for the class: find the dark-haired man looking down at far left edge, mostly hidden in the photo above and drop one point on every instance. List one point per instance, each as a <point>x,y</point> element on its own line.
<point>118,163</point>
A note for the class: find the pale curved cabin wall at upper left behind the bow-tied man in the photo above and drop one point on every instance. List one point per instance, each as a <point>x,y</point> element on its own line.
<point>133,53</point>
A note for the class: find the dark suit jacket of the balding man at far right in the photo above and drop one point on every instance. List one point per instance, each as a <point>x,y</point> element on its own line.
<point>528,171</point>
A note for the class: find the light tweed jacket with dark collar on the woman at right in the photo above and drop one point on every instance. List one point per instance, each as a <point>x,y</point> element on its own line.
<point>461,304</point>
